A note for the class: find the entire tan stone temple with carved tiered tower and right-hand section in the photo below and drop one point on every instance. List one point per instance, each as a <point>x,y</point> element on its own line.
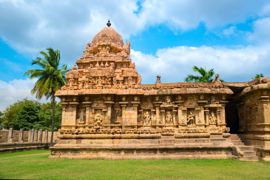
<point>108,113</point>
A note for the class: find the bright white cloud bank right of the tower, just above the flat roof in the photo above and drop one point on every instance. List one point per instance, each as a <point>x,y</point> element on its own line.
<point>173,64</point>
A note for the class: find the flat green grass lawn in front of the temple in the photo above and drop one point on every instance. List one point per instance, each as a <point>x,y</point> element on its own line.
<point>35,164</point>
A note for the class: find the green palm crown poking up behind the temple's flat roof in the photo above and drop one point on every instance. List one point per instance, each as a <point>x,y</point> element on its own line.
<point>204,75</point>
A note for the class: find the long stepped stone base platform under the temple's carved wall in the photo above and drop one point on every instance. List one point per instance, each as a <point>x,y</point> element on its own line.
<point>158,147</point>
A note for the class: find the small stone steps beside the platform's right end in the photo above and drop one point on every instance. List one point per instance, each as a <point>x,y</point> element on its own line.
<point>246,152</point>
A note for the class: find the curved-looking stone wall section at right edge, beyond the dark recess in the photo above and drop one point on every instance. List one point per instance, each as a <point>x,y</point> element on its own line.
<point>254,117</point>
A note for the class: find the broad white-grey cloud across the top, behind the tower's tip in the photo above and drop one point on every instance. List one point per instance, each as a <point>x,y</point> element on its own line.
<point>31,26</point>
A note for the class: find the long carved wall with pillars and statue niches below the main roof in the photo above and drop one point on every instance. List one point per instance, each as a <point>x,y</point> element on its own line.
<point>179,114</point>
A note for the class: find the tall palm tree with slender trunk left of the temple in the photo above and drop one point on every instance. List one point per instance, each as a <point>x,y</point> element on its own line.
<point>49,78</point>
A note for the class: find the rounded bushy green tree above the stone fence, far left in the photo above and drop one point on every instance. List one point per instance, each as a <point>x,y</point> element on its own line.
<point>21,115</point>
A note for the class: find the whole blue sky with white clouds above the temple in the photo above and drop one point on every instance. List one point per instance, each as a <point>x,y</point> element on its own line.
<point>167,37</point>
